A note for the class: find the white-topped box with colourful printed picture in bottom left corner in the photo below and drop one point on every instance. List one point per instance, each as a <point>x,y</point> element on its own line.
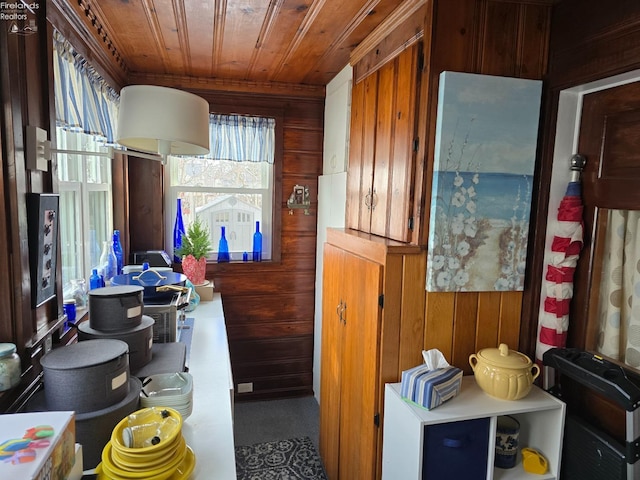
<point>48,439</point>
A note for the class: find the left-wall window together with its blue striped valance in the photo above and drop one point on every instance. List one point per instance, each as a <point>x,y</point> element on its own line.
<point>86,112</point>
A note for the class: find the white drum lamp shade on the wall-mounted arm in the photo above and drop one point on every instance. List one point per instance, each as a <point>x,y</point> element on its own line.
<point>163,120</point>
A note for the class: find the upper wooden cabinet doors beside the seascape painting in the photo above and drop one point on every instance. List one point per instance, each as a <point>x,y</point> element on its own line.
<point>383,147</point>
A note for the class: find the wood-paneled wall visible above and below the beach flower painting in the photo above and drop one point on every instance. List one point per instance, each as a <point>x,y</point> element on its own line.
<point>493,38</point>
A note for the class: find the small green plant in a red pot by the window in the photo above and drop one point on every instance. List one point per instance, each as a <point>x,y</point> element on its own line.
<point>196,246</point>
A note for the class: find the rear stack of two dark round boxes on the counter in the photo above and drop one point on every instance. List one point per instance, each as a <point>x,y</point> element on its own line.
<point>116,313</point>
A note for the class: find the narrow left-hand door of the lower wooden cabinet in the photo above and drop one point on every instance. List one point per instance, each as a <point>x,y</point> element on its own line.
<point>331,347</point>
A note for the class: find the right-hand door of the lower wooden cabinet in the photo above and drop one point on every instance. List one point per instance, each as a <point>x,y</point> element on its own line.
<point>360,368</point>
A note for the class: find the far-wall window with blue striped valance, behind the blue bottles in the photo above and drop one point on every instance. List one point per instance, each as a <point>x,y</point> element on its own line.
<point>232,187</point>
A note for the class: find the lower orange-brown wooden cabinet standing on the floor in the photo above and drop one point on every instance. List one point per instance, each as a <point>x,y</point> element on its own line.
<point>372,323</point>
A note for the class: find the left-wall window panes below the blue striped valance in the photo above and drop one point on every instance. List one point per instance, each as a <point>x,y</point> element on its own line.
<point>86,216</point>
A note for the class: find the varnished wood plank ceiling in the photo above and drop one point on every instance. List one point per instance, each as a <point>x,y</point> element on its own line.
<point>304,42</point>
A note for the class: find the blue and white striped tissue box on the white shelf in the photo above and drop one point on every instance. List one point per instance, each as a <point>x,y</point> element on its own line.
<point>429,388</point>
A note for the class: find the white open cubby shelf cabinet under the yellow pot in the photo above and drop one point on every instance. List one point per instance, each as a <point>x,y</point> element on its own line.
<point>541,418</point>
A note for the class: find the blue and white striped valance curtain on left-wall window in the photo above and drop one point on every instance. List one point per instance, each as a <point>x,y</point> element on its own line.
<point>84,101</point>
